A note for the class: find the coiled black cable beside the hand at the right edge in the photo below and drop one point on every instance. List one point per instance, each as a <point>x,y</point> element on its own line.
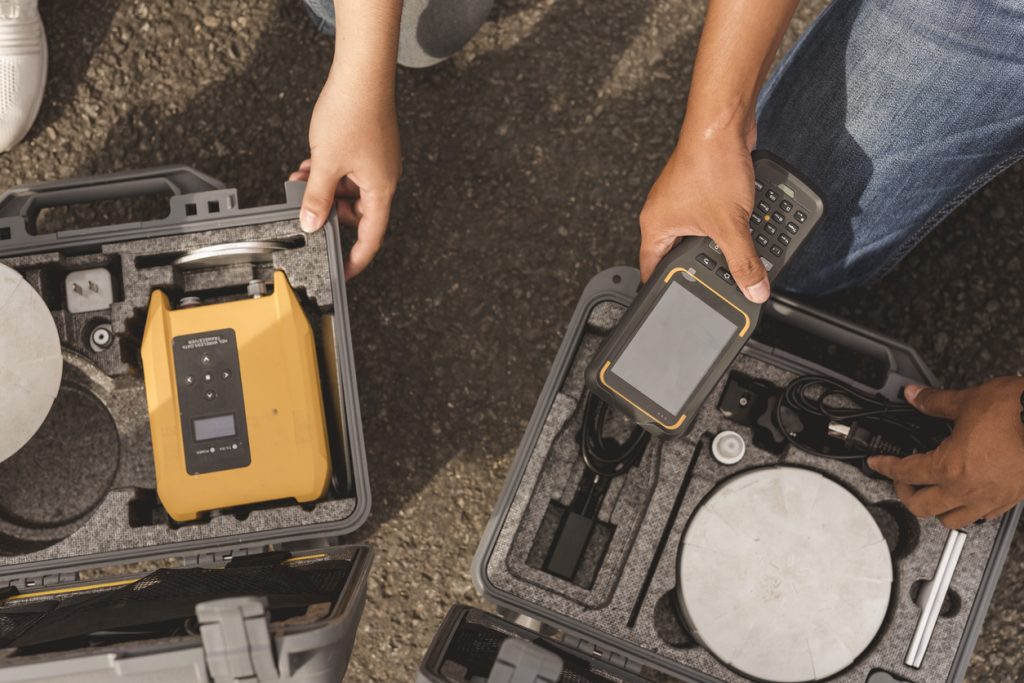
<point>860,424</point>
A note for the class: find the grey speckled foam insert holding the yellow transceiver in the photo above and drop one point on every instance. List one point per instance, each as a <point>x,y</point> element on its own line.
<point>115,378</point>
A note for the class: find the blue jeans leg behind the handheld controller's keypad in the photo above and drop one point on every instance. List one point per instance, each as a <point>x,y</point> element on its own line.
<point>899,111</point>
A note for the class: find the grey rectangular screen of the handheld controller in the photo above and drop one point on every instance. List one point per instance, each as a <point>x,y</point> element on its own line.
<point>674,349</point>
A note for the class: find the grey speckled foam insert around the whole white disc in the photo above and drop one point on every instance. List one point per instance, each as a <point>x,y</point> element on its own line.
<point>553,464</point>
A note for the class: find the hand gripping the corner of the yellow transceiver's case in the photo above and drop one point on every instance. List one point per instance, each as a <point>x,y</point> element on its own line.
<point>355,163</point>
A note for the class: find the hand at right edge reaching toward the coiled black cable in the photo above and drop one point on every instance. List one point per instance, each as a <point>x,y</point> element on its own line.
<point>978,472</point>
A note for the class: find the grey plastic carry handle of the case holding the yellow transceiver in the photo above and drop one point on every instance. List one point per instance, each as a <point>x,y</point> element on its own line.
<point>21,206</point>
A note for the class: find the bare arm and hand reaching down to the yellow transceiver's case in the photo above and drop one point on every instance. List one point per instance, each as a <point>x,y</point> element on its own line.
<point>354,134</point>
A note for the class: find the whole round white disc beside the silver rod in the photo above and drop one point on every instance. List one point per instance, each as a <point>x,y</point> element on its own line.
<point>784,575</point>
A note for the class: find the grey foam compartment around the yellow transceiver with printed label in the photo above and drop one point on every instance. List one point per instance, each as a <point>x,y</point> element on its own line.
<point>38,530</point>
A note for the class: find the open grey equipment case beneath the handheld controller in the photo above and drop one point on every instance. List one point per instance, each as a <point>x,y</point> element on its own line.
<point>618,619</point>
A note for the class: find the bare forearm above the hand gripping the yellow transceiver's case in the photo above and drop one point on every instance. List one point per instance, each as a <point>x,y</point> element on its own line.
<point>367,45</point>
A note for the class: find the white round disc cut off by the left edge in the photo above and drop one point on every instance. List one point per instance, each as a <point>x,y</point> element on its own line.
<point>30,362</point>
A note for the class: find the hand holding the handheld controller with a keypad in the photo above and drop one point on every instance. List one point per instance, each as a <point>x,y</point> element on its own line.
<point>707,188</point>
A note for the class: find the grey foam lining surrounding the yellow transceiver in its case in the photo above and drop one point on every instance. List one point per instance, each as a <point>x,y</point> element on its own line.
<point>107,529</point>
